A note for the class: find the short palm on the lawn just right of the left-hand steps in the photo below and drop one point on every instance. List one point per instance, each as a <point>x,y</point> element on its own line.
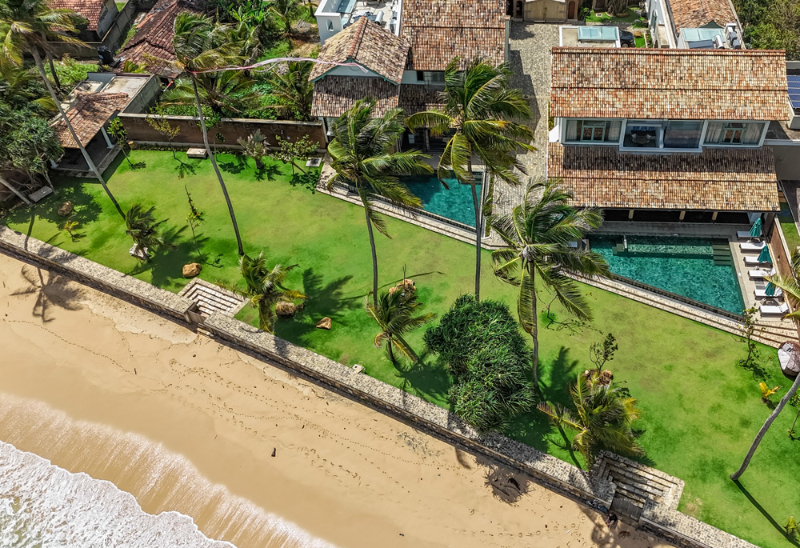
<point>264,288</point>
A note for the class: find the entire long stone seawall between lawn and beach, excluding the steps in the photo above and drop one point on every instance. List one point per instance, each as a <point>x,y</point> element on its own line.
<point>659,519</point>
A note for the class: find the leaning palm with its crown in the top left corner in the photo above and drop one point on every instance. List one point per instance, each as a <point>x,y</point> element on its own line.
<point>29,26</point>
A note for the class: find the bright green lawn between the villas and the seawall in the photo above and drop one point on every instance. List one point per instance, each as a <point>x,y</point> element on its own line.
<point>701,410</point>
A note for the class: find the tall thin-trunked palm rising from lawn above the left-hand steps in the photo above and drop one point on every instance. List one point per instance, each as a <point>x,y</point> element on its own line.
<point>200,45</point>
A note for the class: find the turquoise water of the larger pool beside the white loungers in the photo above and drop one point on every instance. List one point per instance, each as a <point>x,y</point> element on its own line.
<point>697,268</point>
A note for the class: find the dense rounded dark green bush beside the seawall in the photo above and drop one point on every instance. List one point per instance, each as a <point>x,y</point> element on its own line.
<point>482,347</point>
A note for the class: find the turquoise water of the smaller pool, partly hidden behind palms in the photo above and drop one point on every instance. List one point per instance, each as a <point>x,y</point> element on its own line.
<point>454,204</point>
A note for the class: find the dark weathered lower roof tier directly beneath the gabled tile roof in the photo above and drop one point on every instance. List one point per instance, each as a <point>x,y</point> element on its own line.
<point>333,95</point>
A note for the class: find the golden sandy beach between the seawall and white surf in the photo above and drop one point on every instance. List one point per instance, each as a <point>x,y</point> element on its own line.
<point>185,424</point>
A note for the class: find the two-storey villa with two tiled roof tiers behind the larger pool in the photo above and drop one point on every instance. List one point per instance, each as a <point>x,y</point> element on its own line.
<point>667,134</point>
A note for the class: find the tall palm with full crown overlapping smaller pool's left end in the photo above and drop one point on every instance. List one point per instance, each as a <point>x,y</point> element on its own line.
<point>361,157</point>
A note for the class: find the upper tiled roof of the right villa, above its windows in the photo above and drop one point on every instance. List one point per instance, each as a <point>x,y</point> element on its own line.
<point>669,83</point>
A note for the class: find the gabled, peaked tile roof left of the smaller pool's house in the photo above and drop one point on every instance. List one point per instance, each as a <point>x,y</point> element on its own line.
<point>369,45</point>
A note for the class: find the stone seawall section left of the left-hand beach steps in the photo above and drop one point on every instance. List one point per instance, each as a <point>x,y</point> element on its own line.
<point>95,275</point>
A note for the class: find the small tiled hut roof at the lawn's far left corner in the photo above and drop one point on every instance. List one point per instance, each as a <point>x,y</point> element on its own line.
<point>89,113</point>
